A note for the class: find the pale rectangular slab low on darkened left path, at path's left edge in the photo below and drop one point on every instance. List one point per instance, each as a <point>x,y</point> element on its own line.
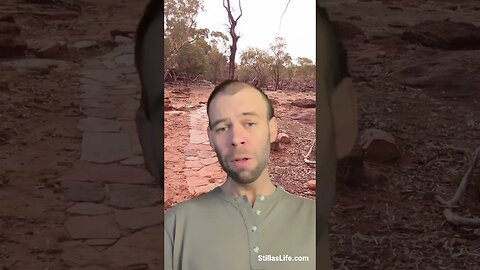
<point>96,227</point>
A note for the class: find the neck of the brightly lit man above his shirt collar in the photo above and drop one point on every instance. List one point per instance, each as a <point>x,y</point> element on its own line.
<point>262,186</point>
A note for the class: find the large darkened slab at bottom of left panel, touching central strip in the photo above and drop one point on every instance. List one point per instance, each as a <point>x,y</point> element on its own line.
<point>142,247</point>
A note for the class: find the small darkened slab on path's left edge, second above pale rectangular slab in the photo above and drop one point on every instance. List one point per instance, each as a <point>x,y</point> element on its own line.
<point>83,191</point>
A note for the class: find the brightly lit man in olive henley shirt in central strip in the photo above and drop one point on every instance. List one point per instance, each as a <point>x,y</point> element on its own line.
<point>247,222</point>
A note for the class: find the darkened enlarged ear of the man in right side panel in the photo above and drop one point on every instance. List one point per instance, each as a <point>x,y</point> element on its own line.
<point>345,116</point>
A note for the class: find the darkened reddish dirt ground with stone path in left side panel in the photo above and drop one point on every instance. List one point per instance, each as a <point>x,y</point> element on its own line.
<point>72,184</point>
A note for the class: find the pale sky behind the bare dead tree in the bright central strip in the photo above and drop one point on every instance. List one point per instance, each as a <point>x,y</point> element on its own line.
<point>260,24</point>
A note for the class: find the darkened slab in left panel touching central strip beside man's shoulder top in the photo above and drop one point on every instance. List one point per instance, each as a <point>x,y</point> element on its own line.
<point>139,218</point>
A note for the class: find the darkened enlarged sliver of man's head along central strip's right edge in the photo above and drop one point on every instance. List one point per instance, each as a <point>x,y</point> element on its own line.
<point>336,123</point>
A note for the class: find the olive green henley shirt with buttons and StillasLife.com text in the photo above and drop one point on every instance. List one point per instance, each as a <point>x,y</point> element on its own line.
<point>217,231</point>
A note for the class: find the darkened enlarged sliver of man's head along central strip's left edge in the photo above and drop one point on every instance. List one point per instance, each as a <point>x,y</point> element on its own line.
<point>149,63</point>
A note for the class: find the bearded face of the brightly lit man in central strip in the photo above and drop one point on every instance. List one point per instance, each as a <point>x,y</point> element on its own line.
<point>241,133</point>
